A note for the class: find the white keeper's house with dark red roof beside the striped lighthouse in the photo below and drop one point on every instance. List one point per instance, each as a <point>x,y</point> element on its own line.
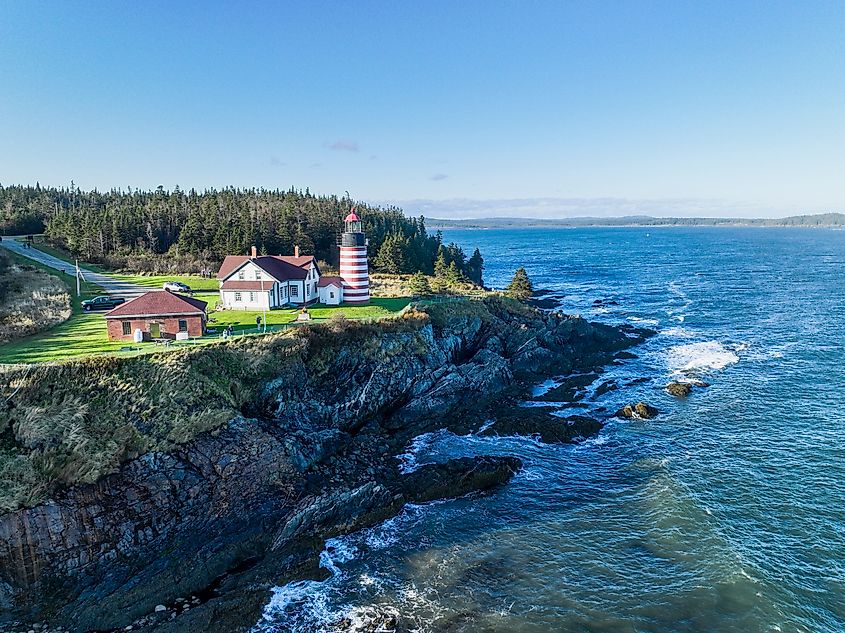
<point>264,282</point>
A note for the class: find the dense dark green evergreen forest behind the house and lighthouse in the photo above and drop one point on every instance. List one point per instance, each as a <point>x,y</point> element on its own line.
<point>188,231</point>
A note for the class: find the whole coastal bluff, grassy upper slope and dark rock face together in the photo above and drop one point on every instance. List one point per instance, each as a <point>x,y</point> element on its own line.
<point>213,474</point>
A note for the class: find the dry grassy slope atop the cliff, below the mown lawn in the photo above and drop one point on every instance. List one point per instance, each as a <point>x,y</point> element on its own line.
<point>73,422</point>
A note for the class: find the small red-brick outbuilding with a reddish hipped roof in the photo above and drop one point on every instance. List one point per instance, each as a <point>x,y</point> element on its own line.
<point>158,315</point>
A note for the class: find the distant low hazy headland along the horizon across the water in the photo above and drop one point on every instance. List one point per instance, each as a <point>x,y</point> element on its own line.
<point>820,220</point>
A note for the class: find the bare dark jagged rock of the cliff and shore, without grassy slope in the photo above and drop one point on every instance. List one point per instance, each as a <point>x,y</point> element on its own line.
<point>191,539</point>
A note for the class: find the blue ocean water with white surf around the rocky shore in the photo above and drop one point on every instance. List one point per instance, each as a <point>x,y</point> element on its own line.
<point>726,513</point>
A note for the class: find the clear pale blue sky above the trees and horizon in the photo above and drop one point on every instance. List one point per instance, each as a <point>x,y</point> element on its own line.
<point>461,109</point>
